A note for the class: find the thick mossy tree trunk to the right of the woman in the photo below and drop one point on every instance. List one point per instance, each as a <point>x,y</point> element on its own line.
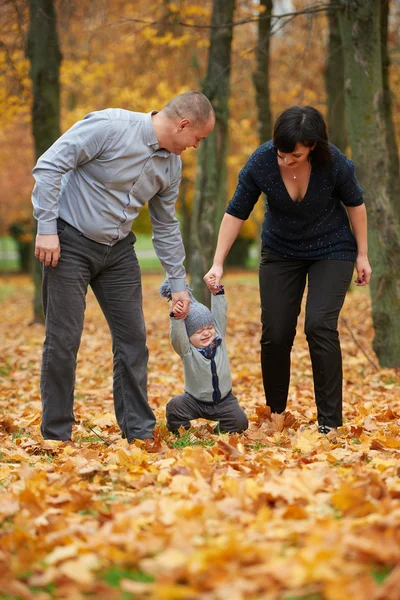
<point>360,24</point>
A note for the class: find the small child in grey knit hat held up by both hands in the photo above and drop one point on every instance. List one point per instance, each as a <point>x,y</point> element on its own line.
<point>199,341</point>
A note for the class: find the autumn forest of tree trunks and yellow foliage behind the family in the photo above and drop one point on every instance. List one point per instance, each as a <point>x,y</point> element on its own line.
<point>252,59</point>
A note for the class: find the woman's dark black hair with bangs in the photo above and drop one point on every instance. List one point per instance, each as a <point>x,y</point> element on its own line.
<point>302,125</point>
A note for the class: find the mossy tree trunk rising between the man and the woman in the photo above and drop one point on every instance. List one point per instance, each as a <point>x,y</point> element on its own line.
<point>210,190</point>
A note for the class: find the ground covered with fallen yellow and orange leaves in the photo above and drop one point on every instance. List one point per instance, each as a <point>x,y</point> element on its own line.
<point>280,512</point>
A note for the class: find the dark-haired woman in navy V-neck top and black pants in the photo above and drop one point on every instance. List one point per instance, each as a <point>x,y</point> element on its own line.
<point>306,235</point>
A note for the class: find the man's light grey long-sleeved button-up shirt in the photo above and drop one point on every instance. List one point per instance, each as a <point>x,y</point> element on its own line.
<point>99,173</point>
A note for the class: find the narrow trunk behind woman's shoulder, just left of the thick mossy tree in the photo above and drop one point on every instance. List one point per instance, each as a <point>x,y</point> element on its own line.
<point>334,81</point>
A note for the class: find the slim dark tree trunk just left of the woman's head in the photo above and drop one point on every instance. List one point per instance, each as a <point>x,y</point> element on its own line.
<point>261,75</point>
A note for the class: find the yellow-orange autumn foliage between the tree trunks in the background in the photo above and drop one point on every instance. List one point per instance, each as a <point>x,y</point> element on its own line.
<point>137,55</point>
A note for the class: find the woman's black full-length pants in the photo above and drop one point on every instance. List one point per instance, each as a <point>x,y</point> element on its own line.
<point>282,284</point>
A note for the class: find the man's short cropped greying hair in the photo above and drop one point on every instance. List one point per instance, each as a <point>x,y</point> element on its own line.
<point>191,105</point>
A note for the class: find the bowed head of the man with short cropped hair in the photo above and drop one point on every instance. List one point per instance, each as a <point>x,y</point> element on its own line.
<point>184,122</point>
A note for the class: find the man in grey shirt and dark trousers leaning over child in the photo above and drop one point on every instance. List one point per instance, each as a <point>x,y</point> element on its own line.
<point>89,187</point>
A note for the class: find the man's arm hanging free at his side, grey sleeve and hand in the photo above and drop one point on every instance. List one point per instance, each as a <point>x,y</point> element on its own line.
<point>80,144</point>
